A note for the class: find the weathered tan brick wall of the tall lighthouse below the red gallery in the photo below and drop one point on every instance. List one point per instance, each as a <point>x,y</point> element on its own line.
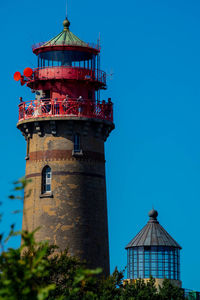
<point>74,216</point>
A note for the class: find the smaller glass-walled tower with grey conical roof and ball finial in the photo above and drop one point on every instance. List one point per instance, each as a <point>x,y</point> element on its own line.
<point>153,252</point>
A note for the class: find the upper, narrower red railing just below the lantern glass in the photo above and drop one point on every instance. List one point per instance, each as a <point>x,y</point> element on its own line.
<point>65,72</point>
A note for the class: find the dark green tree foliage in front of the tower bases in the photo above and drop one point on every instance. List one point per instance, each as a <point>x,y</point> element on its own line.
<point>38,271</point>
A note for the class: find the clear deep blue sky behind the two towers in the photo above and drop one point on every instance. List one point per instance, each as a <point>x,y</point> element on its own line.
<point>153,156</point>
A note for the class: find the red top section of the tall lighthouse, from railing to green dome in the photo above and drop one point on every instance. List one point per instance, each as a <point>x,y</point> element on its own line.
<point>67,80</point>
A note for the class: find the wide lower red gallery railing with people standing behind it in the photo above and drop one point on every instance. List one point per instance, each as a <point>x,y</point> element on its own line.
<point>66,107</point>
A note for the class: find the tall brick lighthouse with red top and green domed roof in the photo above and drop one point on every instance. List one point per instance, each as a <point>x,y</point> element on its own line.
<point>65,128</point>
